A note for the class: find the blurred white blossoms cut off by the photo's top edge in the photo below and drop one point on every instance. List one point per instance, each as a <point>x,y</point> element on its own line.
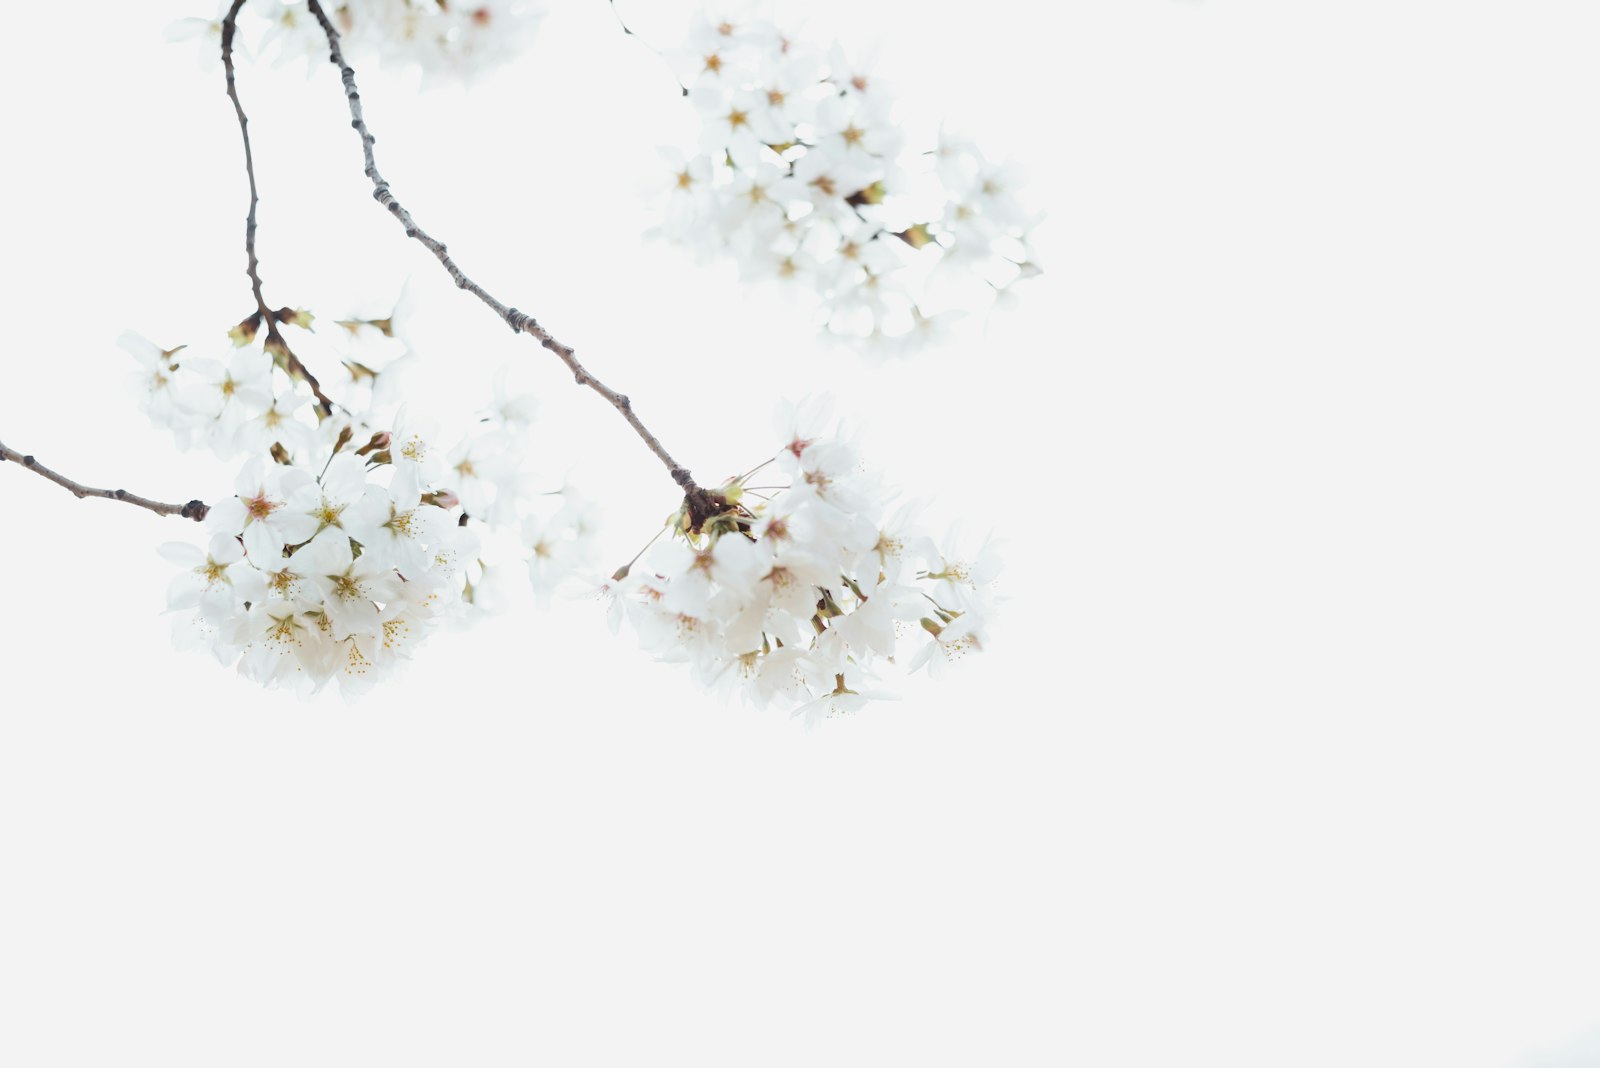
<point>444,39</point>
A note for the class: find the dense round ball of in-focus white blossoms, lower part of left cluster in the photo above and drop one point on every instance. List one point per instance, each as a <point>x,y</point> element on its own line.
<point>313,576</point>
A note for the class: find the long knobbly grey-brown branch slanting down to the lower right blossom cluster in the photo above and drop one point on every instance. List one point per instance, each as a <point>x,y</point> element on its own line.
<point>702,503</point>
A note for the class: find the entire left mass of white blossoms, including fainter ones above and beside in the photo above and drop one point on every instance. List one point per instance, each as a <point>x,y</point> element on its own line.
<point>351,535</point>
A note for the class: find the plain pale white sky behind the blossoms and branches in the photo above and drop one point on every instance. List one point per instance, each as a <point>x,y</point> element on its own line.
<point>1286,754</point>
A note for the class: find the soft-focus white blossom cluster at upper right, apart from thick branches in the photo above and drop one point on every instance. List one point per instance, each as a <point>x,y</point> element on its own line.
<point>802,175</point>
